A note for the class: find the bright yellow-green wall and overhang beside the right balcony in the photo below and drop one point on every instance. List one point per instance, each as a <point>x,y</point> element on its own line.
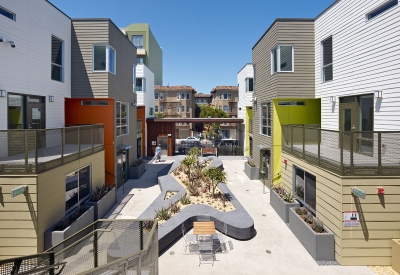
<point>308,114</point>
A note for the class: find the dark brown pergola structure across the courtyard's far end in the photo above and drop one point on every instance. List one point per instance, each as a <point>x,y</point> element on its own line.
<point>165,128</point>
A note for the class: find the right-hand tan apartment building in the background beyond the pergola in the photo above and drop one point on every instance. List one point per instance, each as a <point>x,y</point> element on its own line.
<point>226,98</point>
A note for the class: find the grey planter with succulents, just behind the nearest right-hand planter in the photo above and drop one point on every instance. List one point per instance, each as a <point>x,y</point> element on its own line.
<point>281,200</point>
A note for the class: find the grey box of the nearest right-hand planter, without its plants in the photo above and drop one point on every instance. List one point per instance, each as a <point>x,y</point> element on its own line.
<point>321,246</point>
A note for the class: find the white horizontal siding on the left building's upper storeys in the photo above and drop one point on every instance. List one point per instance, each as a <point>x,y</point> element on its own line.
<point>26,69</point>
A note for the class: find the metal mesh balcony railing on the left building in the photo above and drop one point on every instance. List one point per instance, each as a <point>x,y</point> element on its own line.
<point>38,151</point>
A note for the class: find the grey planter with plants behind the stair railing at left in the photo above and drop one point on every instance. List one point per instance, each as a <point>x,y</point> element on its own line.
<point>72,223</point>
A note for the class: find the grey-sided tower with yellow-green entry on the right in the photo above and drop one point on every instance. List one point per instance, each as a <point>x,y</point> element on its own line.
<point>284,89</point>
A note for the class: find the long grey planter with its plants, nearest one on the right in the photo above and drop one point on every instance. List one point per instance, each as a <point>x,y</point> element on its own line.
<point>313,235</point>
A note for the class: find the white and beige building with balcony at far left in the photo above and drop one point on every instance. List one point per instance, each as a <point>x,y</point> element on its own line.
<point>42,162</point>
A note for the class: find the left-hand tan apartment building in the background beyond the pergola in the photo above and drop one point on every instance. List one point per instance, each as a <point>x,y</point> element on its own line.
<point>176,102</point>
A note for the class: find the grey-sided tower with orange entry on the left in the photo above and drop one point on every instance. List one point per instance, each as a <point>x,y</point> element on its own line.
<point>103,62</point>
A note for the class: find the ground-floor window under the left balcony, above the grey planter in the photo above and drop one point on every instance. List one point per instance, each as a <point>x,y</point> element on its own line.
<point>77,187</point>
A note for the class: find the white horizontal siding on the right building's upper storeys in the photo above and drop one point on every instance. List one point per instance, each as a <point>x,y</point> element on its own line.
<point>365,59</point>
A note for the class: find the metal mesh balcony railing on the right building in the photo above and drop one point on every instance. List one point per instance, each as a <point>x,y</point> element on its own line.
<point>344,153</point>
